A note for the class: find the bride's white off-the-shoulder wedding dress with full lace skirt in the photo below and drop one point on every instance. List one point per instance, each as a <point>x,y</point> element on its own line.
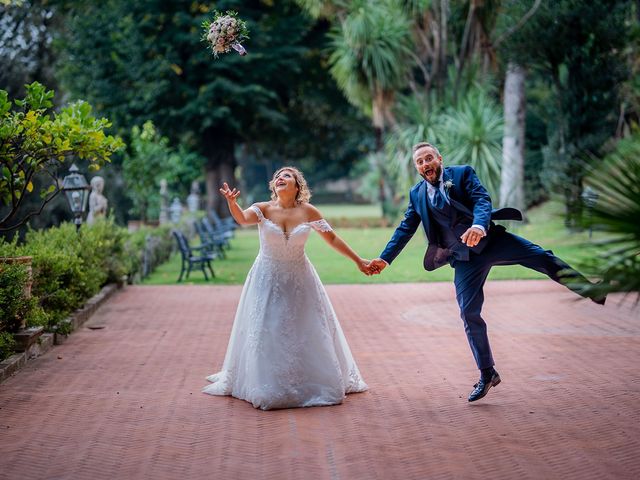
<point>287,348</point>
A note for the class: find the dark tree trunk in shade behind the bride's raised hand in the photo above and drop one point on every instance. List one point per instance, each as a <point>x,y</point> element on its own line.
<point>219,168</point>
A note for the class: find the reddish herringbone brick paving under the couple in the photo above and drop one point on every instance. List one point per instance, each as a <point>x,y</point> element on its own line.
<point>124,401</point>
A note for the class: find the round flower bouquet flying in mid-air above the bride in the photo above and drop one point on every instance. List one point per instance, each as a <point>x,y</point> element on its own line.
<point>225,32</point>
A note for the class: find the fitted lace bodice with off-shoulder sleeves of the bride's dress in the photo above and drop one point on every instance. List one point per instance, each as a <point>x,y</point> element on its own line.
<point>275,243</point>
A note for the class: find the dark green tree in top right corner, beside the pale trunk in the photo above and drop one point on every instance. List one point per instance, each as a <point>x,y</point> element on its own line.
<point>576,48</point>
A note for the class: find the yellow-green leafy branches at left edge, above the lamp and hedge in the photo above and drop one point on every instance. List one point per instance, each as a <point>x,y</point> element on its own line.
<point>34,139</point>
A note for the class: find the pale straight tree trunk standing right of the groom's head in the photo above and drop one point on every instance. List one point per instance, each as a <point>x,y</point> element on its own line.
<point>512,181</point>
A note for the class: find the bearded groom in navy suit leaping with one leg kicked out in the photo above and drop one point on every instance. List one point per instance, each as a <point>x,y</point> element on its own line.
<point>455,212</point>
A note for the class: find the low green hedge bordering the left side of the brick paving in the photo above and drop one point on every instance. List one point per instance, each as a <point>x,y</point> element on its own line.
<point>69,267</point>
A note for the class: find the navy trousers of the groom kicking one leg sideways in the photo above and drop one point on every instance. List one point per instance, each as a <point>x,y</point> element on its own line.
<point>503,248</point>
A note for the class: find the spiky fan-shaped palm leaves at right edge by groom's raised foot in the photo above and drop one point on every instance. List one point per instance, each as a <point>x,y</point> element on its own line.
<point>617,212</point>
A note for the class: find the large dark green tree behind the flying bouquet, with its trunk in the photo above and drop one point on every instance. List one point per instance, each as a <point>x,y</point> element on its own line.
<point>144,60</point>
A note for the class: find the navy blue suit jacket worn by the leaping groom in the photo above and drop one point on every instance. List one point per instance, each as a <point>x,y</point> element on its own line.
<point>471,206</point>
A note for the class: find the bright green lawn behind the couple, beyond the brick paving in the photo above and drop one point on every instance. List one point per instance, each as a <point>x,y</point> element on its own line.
<point>545,228</point>
